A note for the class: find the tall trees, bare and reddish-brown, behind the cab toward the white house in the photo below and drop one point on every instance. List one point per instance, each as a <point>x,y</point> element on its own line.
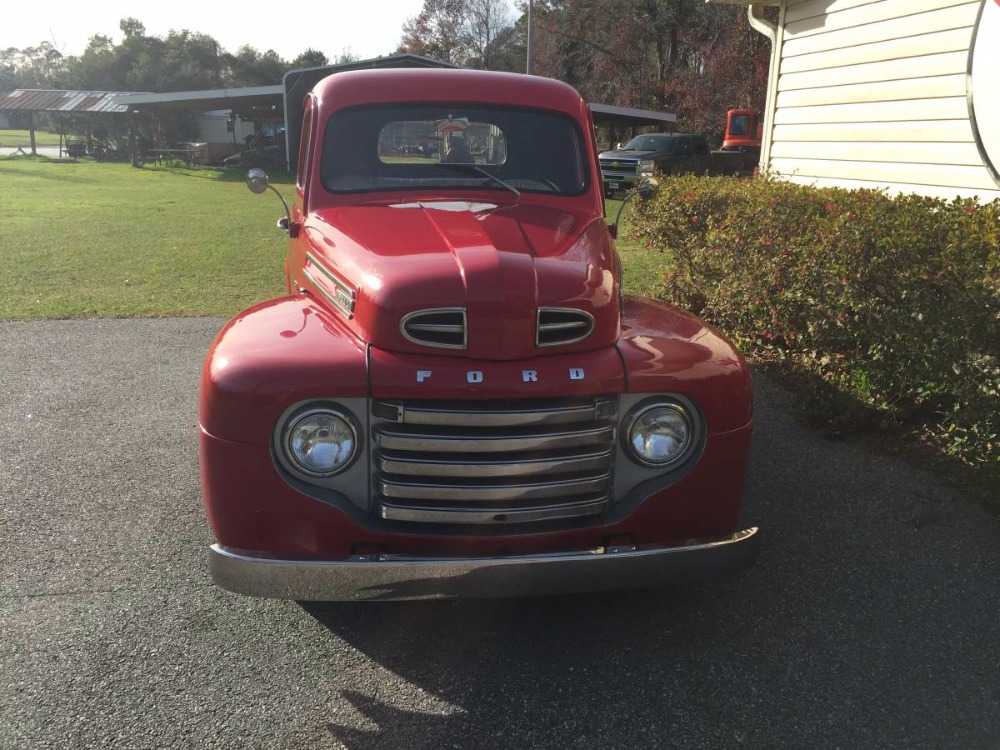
<point>684,56</point>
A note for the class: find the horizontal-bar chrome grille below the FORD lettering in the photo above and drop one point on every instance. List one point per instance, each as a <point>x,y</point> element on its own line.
<point>493,462</point>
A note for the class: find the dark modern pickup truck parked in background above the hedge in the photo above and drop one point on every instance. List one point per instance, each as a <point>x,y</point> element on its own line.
<point>666,154</point>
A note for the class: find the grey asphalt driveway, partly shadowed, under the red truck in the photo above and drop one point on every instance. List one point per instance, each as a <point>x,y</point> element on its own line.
<point>871,619</point>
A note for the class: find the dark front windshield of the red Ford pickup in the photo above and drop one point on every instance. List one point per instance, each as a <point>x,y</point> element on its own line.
<point>453,146</point>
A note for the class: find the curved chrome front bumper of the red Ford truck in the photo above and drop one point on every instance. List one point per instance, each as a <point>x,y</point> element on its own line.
<point>396,578</point>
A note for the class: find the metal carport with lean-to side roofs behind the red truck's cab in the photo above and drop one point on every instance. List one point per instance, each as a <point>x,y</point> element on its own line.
<point>284,100</point>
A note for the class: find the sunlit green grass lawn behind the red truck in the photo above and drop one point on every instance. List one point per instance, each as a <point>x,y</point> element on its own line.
<point>94,239</point>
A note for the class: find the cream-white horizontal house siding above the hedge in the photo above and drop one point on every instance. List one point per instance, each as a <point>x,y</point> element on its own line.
<point>872,93</point>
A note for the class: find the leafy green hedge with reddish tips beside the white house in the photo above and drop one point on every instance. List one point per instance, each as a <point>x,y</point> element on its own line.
<point>893,300</point>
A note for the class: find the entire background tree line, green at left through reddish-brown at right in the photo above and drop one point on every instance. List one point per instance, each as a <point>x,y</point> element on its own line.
<point>684,56</point>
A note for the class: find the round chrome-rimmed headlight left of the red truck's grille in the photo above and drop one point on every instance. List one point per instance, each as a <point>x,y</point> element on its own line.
<point>320,442</point>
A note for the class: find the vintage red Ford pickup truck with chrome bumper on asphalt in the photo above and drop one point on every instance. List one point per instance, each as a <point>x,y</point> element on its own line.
<point>454,398</point>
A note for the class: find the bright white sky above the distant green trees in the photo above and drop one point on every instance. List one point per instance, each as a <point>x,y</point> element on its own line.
<point>369,28</point>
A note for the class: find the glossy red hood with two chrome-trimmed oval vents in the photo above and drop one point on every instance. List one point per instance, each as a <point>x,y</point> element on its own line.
<point>406,274</point>
